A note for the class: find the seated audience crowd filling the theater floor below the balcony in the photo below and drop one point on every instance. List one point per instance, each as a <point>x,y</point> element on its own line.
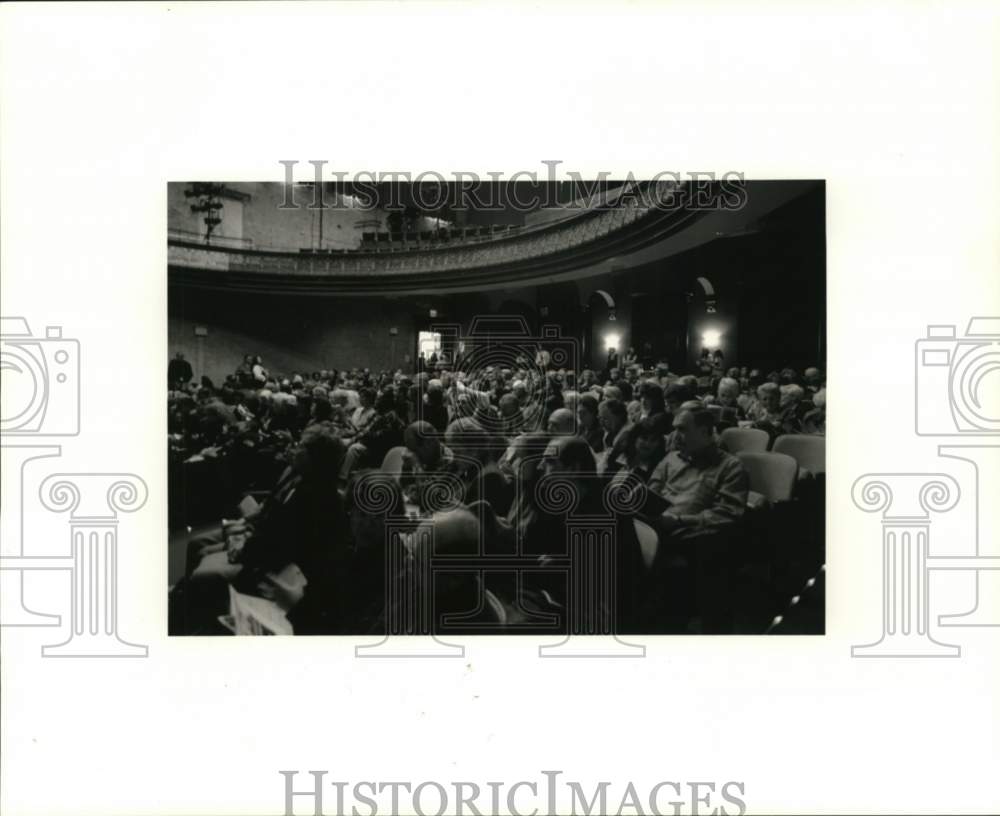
<point>464,454</point>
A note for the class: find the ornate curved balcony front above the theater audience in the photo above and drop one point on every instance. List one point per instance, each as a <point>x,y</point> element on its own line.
<point>615,227</point>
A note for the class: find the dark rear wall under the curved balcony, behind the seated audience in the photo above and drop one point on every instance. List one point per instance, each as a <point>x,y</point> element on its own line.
<point>771,301</point>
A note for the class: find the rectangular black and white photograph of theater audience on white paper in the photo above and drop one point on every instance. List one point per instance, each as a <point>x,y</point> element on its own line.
<point>585,407</point>
